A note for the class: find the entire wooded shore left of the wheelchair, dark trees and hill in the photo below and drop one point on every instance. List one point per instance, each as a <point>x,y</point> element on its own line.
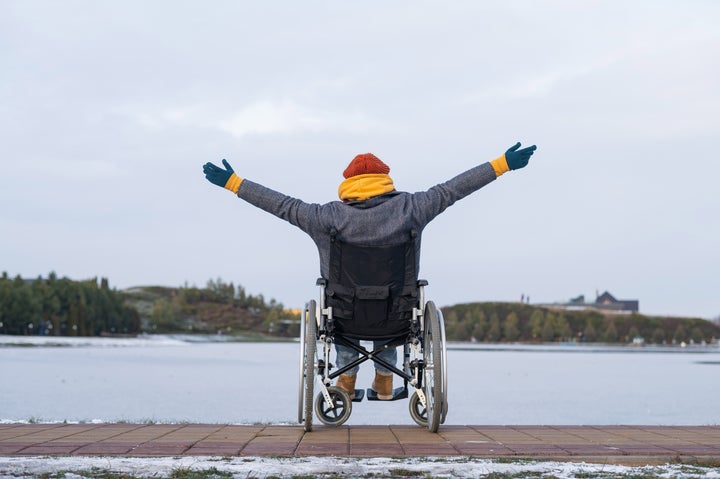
<point>62,307</point>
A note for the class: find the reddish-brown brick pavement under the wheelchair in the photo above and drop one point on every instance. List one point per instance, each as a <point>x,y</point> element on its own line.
<point>616,444</point>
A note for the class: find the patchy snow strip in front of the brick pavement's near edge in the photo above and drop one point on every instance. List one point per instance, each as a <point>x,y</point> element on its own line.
<point>265,467</point>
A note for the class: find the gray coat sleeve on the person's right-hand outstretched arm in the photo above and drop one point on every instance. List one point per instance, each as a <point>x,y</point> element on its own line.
<point>428,204</point>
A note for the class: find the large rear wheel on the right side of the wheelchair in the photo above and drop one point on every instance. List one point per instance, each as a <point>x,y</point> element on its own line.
<point>434,369</point>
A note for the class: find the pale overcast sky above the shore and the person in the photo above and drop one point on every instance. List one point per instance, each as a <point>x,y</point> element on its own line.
<point>108,110</point>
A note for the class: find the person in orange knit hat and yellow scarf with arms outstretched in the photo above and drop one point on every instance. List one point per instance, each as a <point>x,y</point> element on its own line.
<point>370,212</point>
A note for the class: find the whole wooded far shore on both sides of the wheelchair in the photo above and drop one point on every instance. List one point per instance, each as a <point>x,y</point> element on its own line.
<point>63,307</point>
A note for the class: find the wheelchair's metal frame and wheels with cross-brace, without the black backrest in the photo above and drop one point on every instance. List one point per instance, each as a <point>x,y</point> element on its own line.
<point>424,363</point>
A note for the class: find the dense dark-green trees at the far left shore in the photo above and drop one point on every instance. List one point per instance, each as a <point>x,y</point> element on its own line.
<point>63,307</point>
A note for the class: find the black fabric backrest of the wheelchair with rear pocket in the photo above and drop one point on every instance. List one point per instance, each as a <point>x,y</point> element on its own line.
<point>372,289</point>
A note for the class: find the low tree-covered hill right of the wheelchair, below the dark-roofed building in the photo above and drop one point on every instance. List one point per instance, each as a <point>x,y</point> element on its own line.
<point>510,322</point>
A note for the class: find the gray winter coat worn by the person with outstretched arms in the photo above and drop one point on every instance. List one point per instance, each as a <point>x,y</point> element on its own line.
<point>382,220</point>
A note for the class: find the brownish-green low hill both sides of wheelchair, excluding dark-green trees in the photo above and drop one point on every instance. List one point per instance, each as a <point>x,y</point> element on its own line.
<point>217,309</point>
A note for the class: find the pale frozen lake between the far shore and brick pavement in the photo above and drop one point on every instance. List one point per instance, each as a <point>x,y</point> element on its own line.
<point>173,380</point>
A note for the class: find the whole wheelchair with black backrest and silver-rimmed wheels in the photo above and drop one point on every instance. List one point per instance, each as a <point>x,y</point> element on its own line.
<point>372,294</point>
